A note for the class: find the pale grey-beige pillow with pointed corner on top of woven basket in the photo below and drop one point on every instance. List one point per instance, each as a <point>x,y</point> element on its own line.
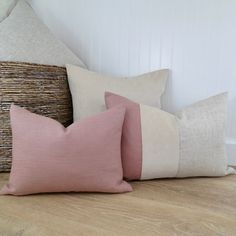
<point>23,37</point>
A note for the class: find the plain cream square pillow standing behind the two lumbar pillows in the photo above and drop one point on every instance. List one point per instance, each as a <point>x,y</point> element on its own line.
<point>87,89</point>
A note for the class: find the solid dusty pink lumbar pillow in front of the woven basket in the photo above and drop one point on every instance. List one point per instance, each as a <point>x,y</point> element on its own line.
<point>50,158</point>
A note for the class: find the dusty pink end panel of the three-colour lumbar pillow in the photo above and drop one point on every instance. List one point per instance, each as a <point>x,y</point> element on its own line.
<point>131,145</point>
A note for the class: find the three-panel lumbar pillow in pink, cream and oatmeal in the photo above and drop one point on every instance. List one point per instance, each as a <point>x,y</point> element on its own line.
<point>157,144</point>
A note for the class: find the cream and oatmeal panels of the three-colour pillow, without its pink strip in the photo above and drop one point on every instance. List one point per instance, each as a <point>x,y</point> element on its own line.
<point>186,145</point>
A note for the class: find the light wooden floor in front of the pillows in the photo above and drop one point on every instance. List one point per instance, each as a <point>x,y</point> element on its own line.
<point>201,207</point>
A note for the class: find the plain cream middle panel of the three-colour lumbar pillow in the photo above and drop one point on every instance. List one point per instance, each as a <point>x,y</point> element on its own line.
<point>160,139</point>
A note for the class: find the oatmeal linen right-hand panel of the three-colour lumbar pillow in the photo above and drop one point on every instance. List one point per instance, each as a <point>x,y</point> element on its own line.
<point>202,149</point>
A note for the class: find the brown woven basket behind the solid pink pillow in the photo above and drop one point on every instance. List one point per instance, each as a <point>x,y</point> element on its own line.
<point>41,89</point>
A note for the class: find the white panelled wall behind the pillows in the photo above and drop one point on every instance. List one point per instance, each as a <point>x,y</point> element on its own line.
<point>196,39</point>
